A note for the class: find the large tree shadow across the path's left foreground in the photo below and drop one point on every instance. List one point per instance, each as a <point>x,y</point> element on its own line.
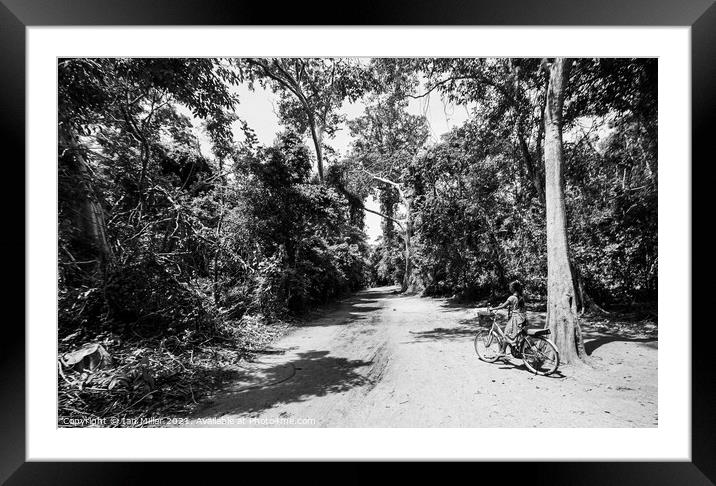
<point>312,374</point>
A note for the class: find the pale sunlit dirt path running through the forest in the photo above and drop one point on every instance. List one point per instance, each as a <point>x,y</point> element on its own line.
<point>385,360</point>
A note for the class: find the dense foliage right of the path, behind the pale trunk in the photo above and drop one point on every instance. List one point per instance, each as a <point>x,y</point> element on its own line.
<point>476,197</point>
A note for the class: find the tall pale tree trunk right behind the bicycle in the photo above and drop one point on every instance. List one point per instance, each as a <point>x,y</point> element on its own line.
<point>561,296</point>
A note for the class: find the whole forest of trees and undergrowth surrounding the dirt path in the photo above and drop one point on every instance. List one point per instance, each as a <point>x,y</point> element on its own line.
<point>175,259</point>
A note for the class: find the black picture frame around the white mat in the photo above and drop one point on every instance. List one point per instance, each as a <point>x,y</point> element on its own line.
<point>15,15</point>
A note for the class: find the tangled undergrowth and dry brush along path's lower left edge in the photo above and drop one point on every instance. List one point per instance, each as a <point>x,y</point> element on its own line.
<point>156,377</point>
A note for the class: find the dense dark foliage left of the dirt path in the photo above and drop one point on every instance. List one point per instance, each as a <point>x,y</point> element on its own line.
<point>153,233</point>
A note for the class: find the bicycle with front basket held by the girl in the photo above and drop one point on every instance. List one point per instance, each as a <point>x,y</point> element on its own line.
<point>538,353</point>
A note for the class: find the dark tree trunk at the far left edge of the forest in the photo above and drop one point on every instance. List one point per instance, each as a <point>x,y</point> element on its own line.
<point>89,240</point>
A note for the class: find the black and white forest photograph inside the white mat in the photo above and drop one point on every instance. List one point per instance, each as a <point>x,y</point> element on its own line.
<point>357,242</point>
